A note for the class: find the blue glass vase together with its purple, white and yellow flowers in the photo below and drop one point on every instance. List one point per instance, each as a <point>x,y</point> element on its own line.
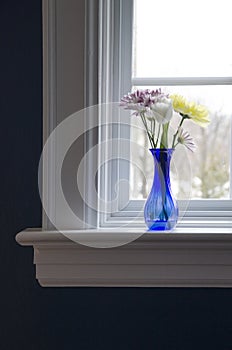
<point>155,109</point>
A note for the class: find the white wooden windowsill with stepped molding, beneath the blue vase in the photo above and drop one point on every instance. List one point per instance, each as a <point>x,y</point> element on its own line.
<point>184,258</point>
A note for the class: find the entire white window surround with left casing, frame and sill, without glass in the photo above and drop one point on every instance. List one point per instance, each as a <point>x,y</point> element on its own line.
<point>191,257</point>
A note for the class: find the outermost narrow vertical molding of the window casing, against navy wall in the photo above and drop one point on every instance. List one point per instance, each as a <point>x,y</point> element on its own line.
<point>47,175</point>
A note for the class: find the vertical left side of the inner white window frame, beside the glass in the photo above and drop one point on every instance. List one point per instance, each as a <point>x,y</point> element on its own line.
<point>115,55</point>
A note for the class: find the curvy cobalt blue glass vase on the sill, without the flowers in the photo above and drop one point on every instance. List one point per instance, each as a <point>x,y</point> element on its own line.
<point>161,209</point>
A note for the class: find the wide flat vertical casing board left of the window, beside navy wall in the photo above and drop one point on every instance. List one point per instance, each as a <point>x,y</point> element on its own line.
<point>64,74</point>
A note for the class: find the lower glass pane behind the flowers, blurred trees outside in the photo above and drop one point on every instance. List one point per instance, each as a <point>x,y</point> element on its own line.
<point>206,172</point>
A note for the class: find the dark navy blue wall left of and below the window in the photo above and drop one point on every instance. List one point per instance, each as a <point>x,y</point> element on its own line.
<point>36,318</point>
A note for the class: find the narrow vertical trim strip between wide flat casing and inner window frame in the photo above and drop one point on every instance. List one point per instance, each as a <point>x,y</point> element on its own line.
<point>91,99</point>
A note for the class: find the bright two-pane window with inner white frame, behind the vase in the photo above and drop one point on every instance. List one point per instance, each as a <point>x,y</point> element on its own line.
<point>192,60</point>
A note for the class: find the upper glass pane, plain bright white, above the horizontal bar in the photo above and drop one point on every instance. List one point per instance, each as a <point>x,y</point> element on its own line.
<point>182,38</point>
